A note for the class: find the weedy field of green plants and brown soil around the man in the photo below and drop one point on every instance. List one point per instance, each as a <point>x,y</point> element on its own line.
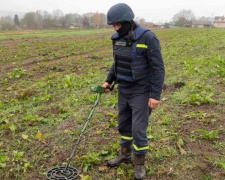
<point>45,99</point>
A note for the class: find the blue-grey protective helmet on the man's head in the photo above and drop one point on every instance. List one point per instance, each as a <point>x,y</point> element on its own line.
<point>119,13</point>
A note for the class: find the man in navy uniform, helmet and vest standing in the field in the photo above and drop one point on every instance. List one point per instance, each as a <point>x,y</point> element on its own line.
<point>138,68</point>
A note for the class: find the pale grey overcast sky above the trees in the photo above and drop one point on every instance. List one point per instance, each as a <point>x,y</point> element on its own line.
<point>154,11</point>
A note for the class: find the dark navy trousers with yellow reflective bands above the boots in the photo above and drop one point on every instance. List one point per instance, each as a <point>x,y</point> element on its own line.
<point>133,121</point>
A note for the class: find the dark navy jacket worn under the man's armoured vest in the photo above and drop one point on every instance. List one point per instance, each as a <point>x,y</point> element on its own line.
<point>154,82</point>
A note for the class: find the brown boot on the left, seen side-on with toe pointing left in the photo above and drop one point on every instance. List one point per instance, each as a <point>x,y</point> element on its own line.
<point>125,156</point>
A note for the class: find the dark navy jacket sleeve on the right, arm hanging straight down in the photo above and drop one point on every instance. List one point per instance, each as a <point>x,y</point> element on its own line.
<point>156,63</point>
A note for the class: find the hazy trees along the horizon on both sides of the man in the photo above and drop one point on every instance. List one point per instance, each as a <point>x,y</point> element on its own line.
<point>57,19</point>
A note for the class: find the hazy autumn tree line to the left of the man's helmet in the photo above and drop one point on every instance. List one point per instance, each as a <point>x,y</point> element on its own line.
<point>56,19</point>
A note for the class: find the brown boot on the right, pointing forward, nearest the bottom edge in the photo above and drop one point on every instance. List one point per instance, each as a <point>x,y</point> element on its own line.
<point>139,168</point>
